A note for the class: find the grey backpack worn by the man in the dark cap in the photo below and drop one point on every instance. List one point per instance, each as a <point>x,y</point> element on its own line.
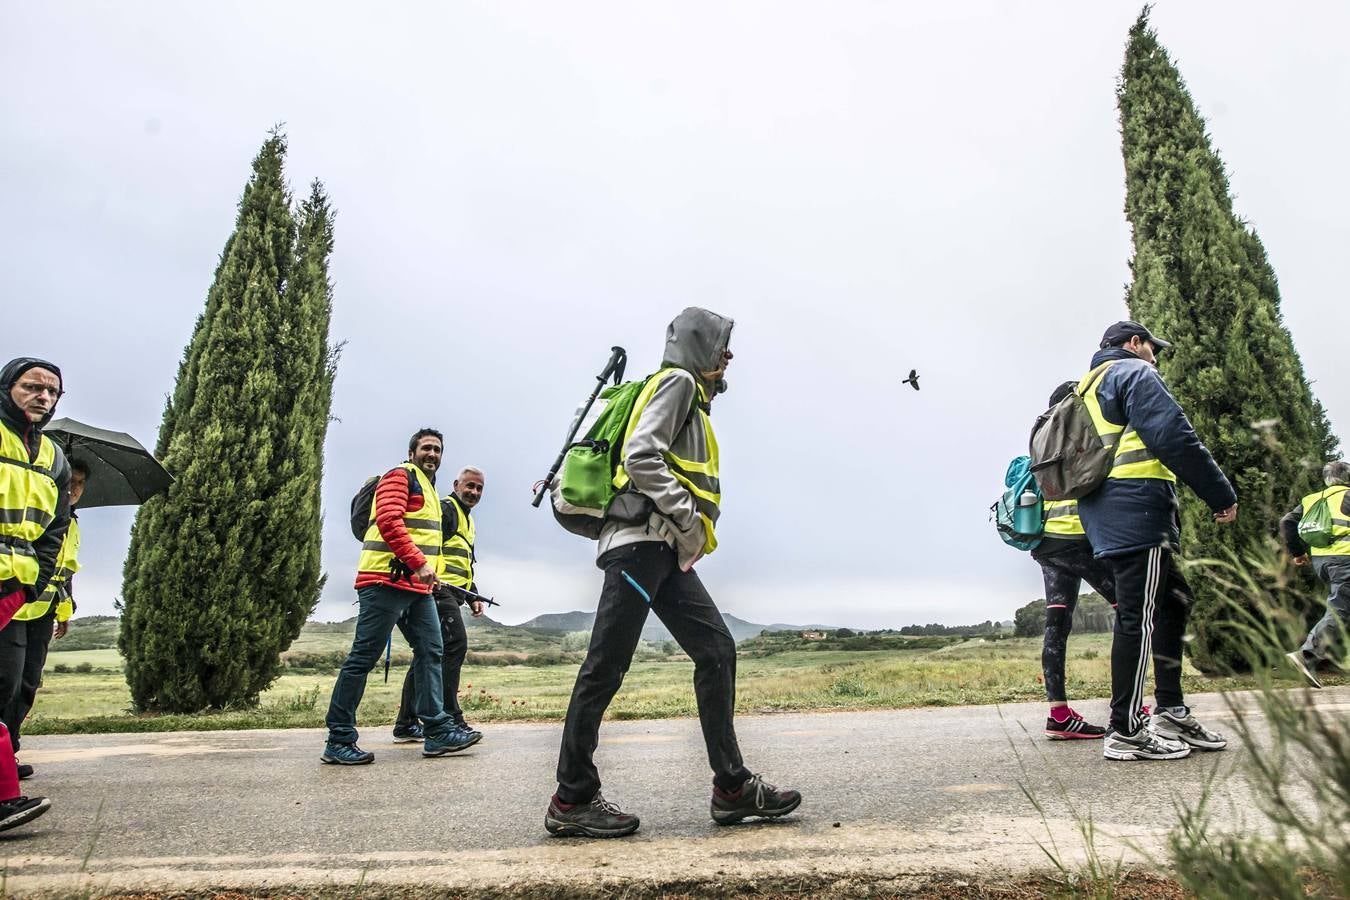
<point>1069,458</point>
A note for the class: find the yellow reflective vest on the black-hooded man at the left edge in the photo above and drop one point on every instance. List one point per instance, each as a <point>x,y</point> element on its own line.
<point>29,497</point>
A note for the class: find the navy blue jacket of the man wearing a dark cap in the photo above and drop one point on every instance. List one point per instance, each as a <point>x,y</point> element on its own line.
<point>1131,515</point>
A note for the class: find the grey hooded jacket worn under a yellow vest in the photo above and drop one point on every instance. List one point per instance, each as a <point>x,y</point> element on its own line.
<point>695,345</point>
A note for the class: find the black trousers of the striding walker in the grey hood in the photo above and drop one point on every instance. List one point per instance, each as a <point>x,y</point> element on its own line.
<point>684,607</point>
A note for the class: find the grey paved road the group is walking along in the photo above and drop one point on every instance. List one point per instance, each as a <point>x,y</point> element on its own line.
<point>912,791</point>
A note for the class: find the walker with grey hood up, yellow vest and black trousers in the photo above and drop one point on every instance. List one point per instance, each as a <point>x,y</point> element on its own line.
<point>659,526</point>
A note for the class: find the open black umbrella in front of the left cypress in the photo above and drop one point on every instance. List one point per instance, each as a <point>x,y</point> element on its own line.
<point>122,473</point>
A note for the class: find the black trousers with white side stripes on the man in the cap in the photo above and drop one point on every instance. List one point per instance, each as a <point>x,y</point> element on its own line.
<point>1154,604</point>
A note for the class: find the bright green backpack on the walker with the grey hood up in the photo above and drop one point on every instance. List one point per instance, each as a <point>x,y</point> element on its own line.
<point>585,485</point>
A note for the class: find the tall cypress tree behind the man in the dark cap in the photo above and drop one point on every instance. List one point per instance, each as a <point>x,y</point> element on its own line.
<point>1202,280</point>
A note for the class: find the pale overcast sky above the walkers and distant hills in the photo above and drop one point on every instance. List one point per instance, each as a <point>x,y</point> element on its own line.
<point>865,187</point>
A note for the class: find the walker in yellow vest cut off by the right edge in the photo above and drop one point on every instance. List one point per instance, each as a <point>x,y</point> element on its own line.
<point>1332,563</point>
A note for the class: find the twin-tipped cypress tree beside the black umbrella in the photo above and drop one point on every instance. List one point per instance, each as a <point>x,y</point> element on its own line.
<point>223,571</point>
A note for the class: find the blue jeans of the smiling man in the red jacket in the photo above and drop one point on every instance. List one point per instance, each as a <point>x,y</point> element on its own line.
<point>381,609</point>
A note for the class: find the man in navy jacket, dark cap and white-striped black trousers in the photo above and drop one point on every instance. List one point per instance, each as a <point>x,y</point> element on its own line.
<point>1133,524</point>
